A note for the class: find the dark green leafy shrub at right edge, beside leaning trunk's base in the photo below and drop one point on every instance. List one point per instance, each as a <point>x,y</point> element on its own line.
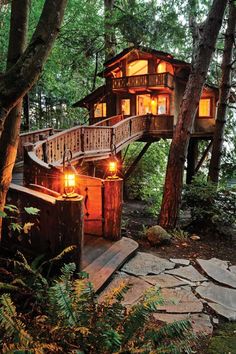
<point>212,209</point>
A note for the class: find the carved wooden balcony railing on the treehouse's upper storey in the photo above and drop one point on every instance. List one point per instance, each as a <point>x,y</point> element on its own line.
<point>151,81</point>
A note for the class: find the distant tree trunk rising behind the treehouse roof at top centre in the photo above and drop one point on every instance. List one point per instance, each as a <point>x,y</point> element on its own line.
<point>109,35</point>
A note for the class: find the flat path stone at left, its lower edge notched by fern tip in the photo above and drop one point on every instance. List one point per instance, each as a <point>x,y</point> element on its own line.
<point>133,295</point>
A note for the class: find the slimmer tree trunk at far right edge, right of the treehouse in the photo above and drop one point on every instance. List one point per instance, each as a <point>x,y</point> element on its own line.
<point>225,86</point>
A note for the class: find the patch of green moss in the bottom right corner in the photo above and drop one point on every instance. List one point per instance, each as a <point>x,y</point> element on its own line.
<point>224,342</point>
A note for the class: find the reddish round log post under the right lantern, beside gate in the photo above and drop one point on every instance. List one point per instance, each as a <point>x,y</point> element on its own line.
<point>112,208</point>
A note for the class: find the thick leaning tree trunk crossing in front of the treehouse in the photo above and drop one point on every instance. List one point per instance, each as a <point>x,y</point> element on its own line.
<point>179,146</point>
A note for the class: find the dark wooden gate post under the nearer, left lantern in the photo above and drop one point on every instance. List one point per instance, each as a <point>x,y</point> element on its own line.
<point>70,221</point>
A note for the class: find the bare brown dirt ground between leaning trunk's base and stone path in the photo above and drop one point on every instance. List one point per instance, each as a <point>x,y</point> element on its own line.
<point>136,219</point>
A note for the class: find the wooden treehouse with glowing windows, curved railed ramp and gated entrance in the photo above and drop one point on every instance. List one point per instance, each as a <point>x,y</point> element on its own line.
<point>139,102</point>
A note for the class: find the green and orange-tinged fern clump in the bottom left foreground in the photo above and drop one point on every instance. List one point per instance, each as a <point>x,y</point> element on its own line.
<point>69,319</point>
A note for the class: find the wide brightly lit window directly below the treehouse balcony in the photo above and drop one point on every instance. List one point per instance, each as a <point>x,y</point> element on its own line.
<point>152,104</point>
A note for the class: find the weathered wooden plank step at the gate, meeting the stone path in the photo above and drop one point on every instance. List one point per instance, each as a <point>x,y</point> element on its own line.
<point>101,269</point>
